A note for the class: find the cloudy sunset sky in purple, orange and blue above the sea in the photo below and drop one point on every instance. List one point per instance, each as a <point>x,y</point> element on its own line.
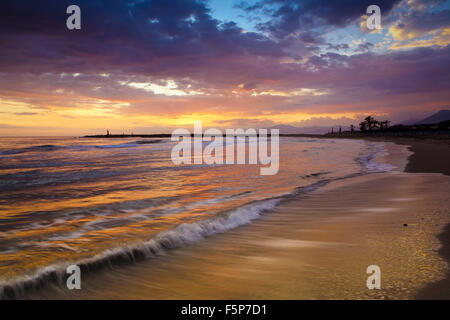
<point>150,66</point>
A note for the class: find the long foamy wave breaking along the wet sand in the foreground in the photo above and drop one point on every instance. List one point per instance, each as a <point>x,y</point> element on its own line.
<point>184,234</point>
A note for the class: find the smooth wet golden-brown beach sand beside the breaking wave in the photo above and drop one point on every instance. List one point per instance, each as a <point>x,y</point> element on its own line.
<point>316,246</point>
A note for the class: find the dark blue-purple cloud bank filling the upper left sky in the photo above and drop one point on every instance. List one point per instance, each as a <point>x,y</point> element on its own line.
<point>133,36</point>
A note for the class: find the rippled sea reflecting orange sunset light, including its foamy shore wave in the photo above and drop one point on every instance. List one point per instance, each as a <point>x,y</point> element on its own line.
<point>104,201</point>
